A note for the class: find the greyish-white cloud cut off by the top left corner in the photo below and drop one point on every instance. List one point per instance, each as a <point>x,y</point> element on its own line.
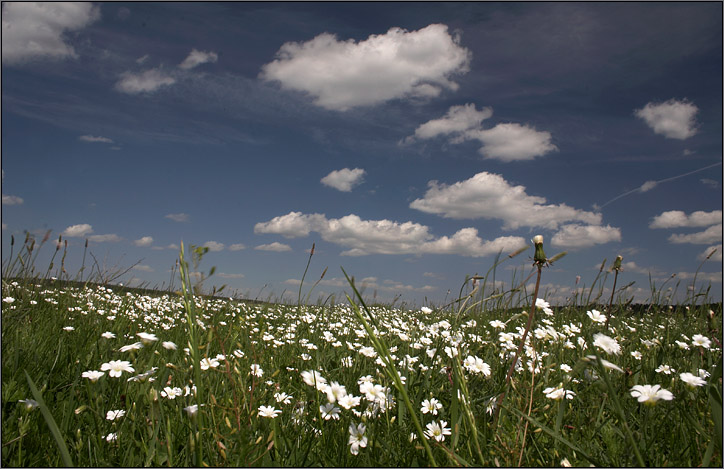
<point>35,30</point>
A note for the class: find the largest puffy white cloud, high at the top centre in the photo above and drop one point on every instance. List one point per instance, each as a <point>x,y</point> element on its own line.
<point>397,64</point>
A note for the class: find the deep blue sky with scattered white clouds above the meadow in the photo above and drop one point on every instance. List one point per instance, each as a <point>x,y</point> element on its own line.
<point>410,143</point>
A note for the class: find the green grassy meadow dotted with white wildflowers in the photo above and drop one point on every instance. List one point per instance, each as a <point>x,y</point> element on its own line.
<point>101,375</point>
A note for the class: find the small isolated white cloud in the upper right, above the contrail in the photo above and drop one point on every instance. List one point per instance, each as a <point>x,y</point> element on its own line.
<point>672,119</point>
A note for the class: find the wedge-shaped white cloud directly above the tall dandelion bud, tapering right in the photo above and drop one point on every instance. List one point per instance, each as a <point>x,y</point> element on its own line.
<point>489,196</point>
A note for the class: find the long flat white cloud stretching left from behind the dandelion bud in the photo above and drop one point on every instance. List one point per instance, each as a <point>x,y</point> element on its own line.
<point>364,237</point>
